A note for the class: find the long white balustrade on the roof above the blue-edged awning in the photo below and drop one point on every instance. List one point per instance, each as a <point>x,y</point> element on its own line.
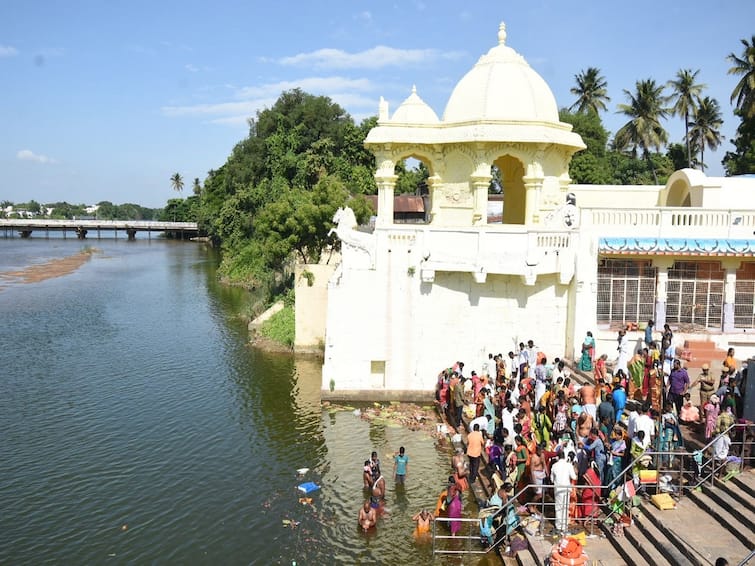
<point>669,222</point>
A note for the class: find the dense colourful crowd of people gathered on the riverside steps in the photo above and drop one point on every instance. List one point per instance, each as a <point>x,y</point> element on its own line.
<point>535,424</point>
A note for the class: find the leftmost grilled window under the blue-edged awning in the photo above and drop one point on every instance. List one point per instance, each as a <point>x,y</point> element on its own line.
<point>626,291</point>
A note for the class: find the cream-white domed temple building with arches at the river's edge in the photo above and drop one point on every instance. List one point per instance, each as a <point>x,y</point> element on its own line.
<point>409,299</point>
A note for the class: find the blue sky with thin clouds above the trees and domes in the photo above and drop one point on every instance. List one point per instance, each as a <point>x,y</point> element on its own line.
<point>106,100</point>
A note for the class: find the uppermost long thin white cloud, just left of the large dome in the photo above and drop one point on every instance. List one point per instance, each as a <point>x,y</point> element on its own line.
<point>374,58</point>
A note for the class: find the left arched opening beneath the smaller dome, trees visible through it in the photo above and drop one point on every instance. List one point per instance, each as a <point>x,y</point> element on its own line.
<point>412,199</point>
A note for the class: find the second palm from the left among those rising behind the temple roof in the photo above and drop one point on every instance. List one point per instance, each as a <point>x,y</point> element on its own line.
<point>644,130</point>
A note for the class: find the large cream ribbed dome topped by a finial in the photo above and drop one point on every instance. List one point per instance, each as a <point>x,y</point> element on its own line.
<point>501,86</point>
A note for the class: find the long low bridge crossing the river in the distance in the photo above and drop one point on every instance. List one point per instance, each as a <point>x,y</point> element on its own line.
<point>82,228</point>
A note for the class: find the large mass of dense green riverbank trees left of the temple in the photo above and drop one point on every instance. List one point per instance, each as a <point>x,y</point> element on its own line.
<point>274,199</point>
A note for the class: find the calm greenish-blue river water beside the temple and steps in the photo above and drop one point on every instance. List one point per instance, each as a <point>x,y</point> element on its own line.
<point>138,427</point>
